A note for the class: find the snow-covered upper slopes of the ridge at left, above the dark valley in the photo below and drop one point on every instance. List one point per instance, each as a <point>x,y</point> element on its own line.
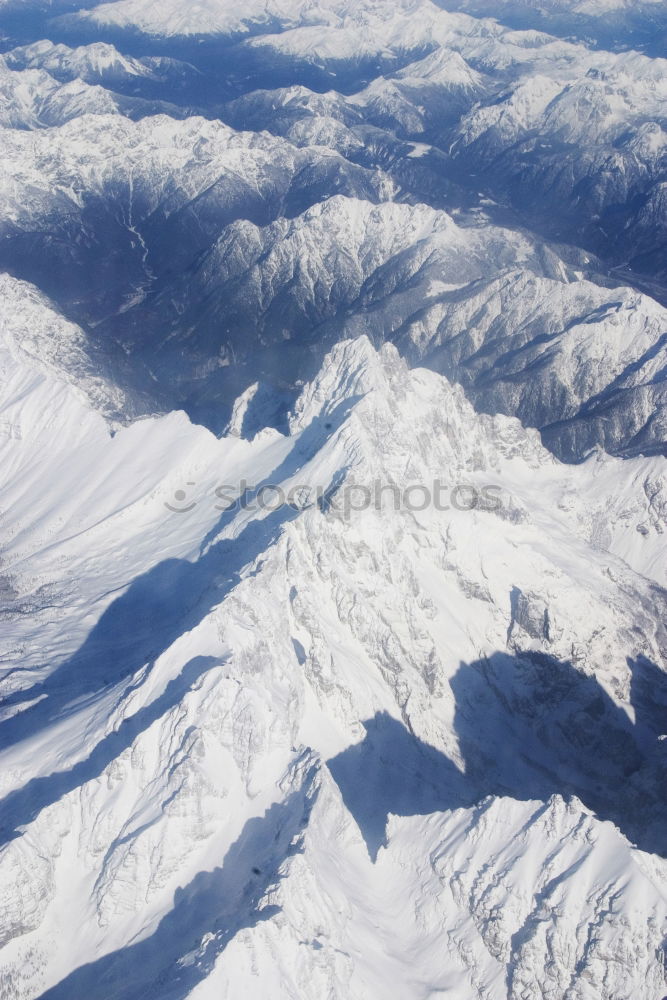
<point>158,161</point>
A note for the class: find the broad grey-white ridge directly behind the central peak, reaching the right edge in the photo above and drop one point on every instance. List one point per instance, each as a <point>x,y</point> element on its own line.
<point>482,304</point>
